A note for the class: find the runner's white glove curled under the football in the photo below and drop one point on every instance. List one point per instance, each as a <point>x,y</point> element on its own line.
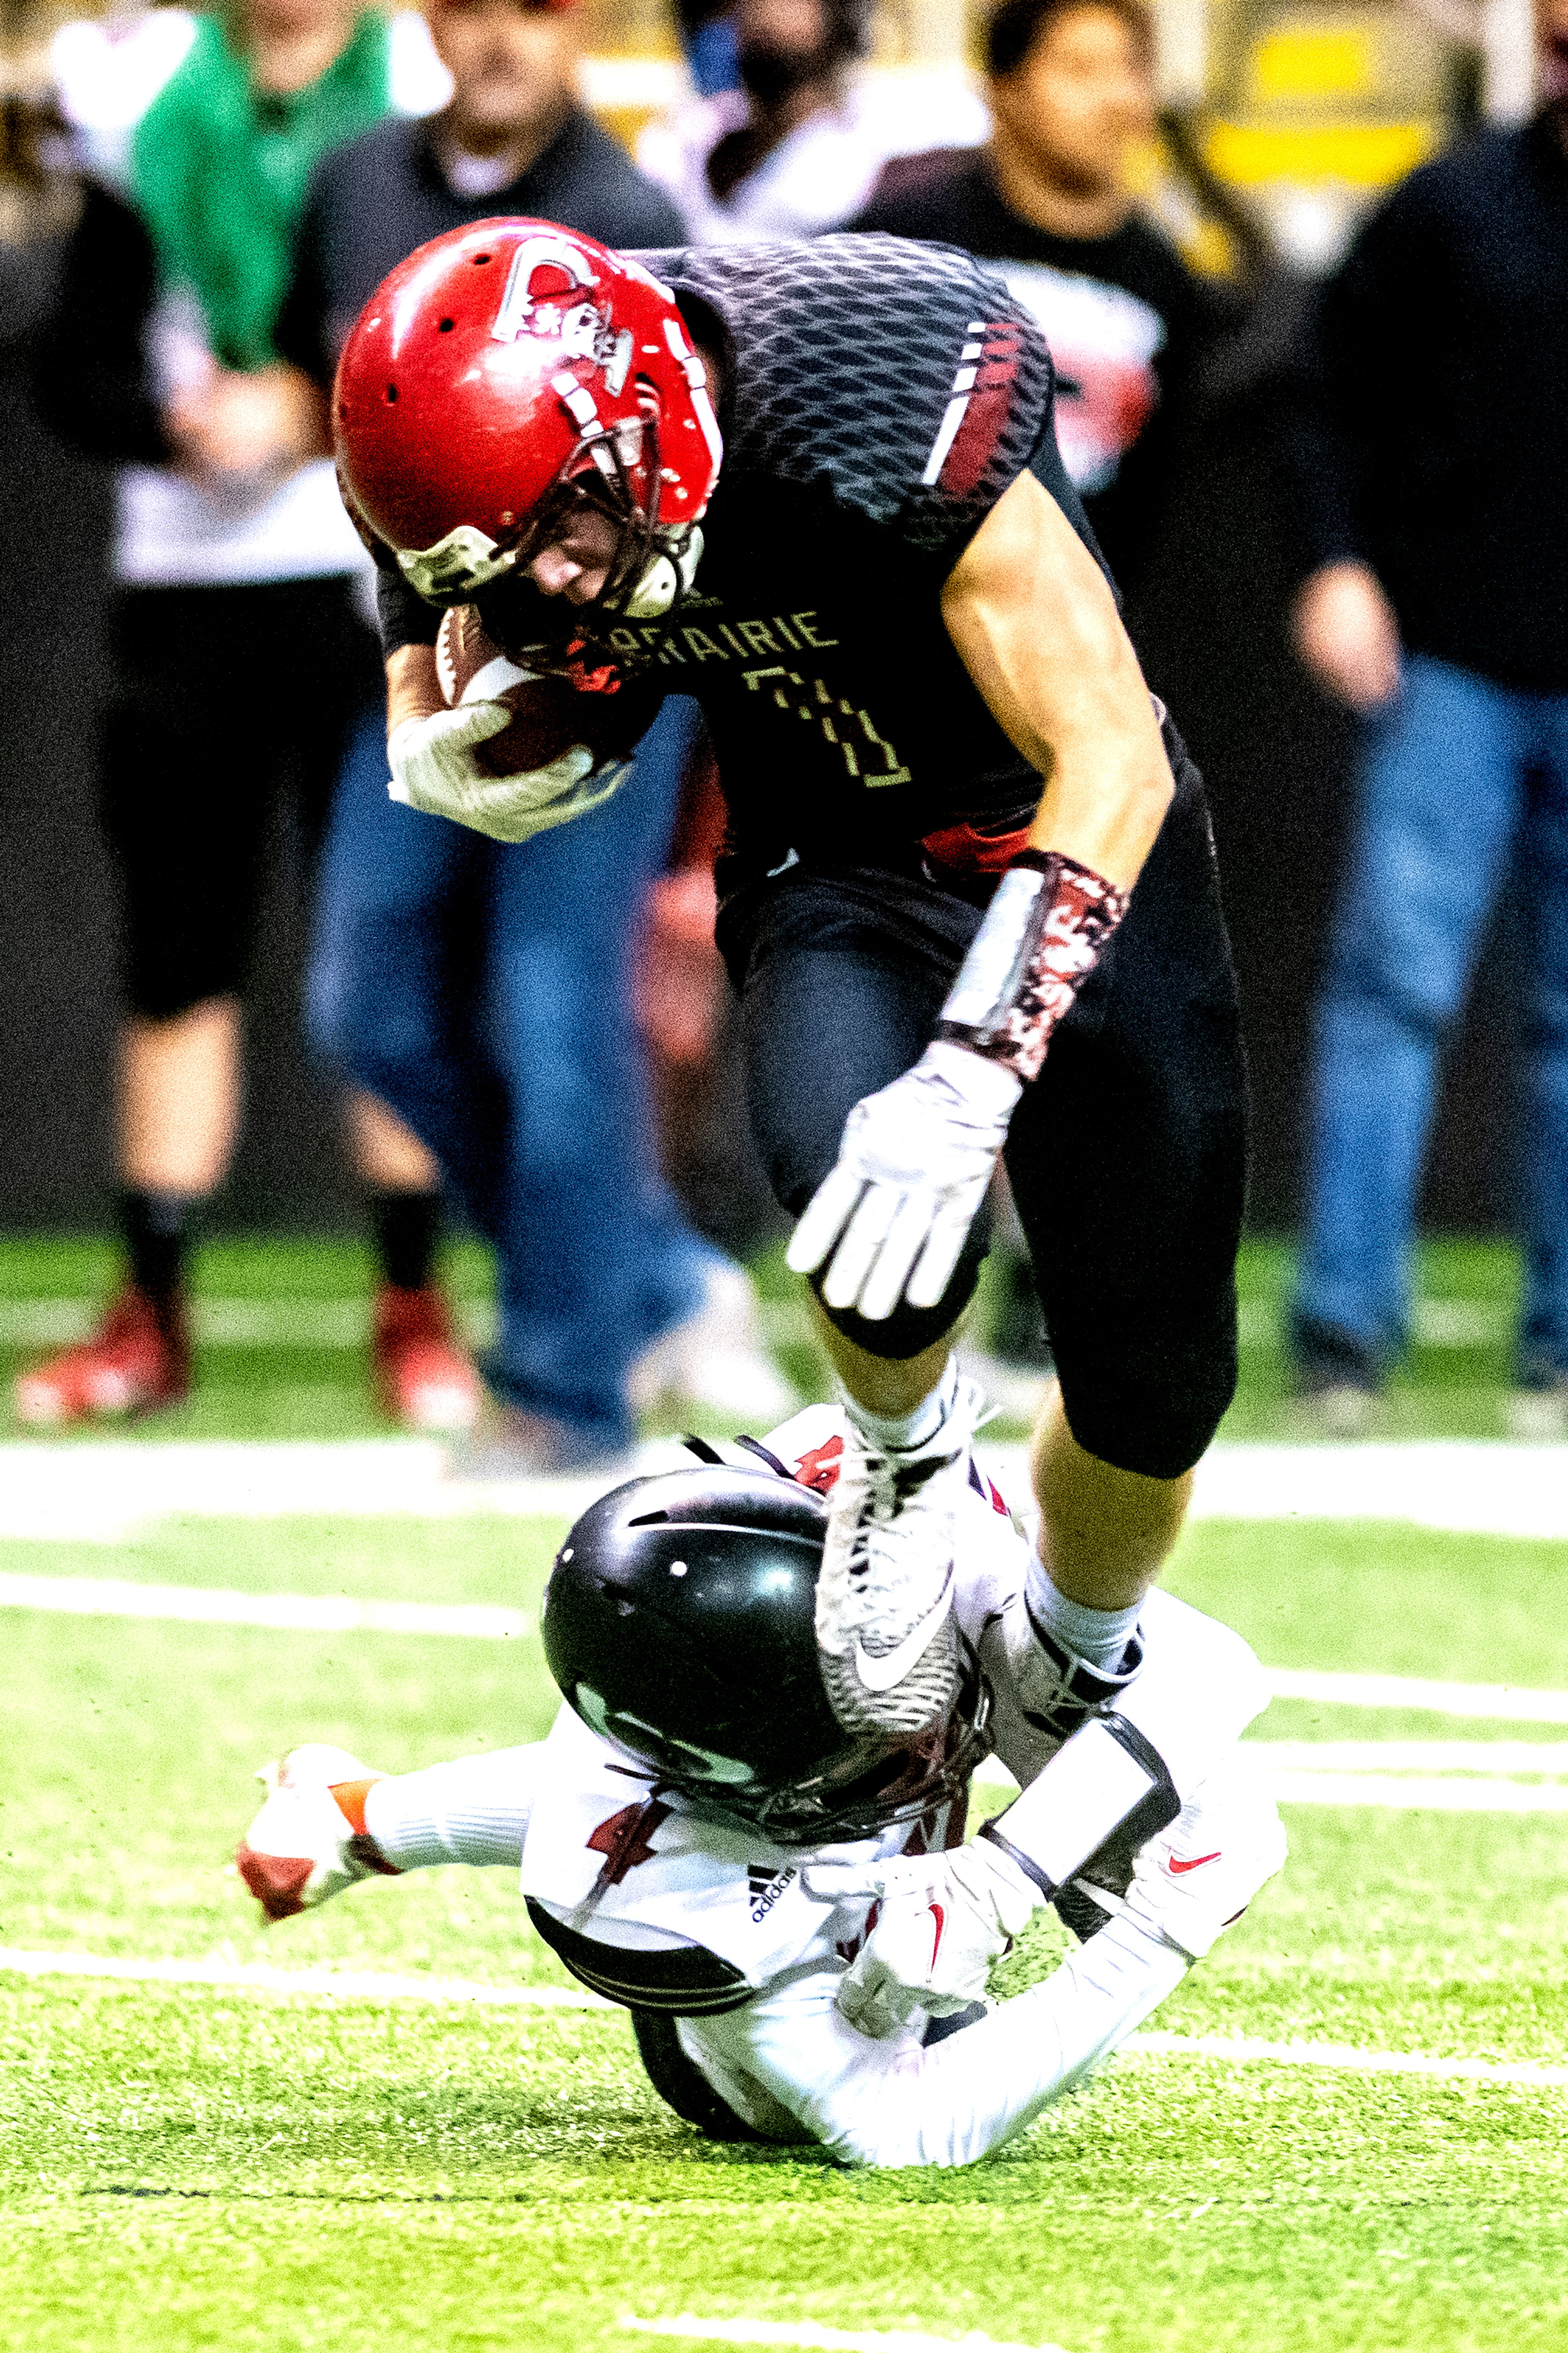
<point>434,771</point>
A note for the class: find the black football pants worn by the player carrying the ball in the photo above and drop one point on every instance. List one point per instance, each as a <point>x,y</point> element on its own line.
<point>1127,1154</point>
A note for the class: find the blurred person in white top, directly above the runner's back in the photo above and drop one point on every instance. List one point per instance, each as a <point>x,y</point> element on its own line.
<point>802,142</point>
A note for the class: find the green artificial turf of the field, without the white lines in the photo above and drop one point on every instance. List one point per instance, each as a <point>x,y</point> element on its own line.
<point>201,2168</point>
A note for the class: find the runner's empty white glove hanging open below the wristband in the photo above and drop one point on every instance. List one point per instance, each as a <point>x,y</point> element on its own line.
<point>912,1173</point>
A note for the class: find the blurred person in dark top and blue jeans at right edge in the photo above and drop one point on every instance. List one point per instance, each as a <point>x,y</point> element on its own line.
<point>1433,474</point>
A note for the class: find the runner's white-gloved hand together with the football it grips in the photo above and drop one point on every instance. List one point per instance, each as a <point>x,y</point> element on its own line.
<point>512,754</point>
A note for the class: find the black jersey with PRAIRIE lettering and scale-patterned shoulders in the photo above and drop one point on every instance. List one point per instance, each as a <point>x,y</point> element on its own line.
<point>879,401</point>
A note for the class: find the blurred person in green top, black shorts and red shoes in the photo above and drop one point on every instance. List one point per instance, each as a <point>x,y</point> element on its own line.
<point>237,566</point>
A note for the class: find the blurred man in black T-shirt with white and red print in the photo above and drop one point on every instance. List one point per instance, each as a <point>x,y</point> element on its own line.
<point>1072,100</point>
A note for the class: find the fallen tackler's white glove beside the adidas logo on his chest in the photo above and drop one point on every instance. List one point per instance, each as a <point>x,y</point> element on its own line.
<point>945,1919</point>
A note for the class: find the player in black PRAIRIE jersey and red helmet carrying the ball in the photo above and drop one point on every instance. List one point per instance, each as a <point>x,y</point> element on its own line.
<point>818,488</point>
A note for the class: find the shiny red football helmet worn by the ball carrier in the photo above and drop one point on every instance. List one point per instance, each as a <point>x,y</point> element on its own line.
<point>505,373</point>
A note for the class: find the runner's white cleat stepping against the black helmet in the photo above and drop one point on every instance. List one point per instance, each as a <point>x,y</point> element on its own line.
<point>886,1594</point>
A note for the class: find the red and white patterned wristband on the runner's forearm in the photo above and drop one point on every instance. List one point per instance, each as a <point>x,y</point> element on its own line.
<point>1039,942</point>
